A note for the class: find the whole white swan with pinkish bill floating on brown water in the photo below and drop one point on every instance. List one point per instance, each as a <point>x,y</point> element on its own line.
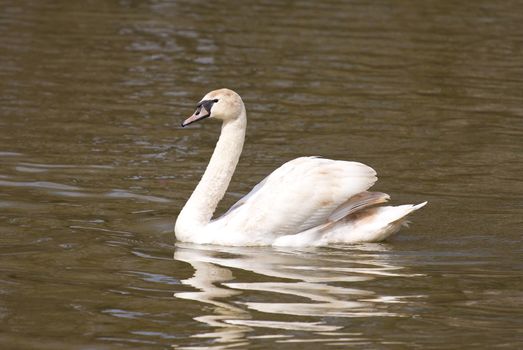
<point>308,201</point>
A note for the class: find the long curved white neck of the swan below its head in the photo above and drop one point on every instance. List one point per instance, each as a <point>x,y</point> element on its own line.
<point>200,207</point>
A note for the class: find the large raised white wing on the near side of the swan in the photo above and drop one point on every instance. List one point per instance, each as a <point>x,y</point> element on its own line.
<point>300,194</point>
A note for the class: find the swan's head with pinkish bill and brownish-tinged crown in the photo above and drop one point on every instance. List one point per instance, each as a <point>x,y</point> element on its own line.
<point>222,104</point>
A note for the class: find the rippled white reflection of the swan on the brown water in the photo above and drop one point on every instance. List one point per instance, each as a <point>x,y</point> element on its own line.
<point>311,284</point>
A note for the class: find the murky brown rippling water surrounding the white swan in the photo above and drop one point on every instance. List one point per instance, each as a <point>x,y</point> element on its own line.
<point>94,169</point>
